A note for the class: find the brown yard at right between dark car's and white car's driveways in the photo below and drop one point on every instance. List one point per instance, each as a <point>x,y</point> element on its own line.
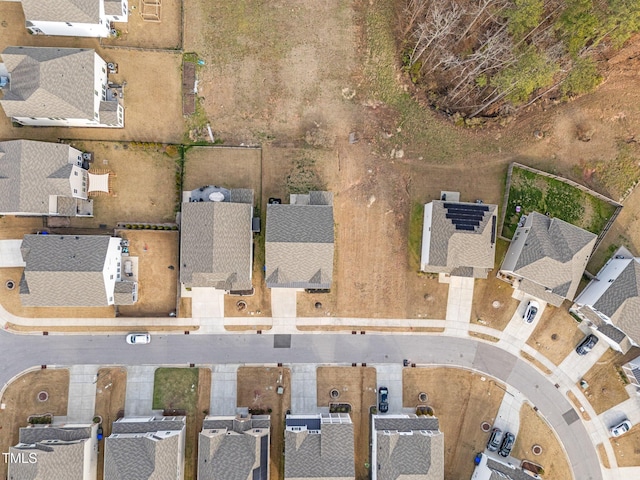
<point>606,387</point>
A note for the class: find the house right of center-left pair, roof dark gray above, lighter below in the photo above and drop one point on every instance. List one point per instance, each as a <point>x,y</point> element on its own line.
<point>299,242</point>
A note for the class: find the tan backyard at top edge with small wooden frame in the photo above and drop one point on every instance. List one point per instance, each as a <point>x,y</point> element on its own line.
<point>147,34</point>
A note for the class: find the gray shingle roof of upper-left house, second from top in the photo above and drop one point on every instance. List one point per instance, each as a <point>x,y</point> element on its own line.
<point>49,82</point>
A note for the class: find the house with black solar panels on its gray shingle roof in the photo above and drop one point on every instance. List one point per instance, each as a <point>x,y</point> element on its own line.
<point>459,238</point>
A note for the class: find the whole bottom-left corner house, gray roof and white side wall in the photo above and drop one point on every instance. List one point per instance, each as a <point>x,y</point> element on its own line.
<point>55,451</point>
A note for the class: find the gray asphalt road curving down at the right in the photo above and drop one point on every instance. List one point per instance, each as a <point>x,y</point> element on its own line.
<point>21,352</point>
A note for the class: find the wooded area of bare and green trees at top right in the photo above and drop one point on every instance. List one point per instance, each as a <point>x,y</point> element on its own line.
<point>492,57</point>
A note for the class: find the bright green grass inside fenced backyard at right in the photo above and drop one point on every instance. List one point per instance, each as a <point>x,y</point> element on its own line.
<point>533,192</point>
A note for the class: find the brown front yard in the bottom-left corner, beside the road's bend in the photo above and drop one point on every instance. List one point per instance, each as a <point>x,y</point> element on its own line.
<point>21,400</point>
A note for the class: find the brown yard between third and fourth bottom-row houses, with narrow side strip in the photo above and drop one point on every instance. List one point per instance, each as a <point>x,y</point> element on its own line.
<point>257,390</point>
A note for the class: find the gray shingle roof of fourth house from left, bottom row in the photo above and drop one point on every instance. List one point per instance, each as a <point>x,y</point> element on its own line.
<point>327,455</point>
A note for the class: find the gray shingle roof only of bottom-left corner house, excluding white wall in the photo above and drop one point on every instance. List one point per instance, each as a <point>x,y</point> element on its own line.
<point>55,461</point>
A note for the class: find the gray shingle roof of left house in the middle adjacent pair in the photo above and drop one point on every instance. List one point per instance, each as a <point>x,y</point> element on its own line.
<point>216,245</point>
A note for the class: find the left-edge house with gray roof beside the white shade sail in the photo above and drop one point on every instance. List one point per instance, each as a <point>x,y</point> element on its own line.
<point>37,177</point>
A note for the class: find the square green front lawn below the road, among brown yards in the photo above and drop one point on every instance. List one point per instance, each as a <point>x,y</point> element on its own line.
<point>176,388</point>
